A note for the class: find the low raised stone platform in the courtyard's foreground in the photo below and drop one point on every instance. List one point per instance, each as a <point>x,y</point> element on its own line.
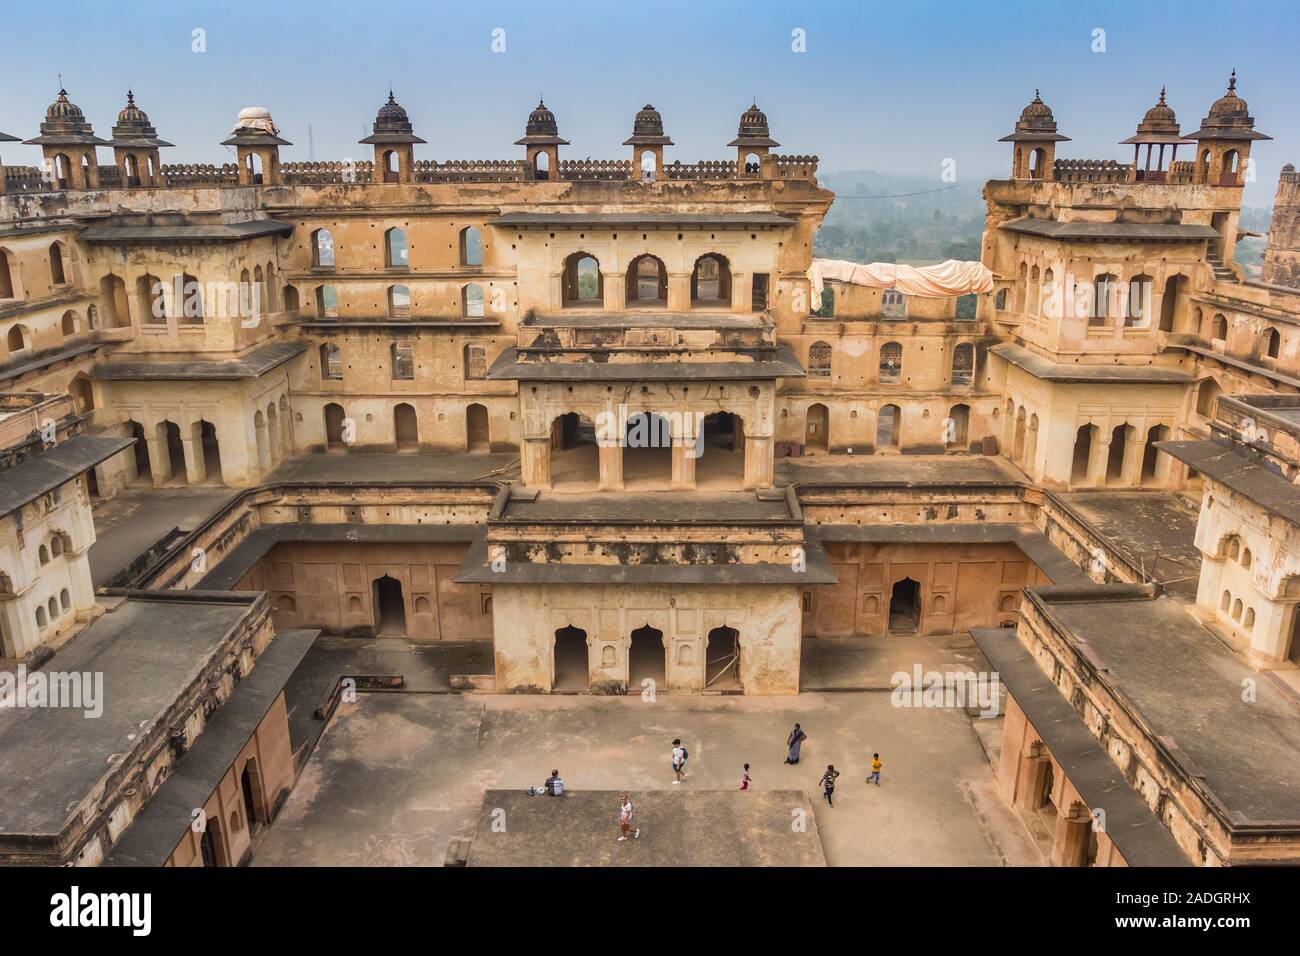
<point>679,828</point>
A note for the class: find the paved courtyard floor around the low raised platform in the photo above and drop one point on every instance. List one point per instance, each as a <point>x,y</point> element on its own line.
<point>397,776</point>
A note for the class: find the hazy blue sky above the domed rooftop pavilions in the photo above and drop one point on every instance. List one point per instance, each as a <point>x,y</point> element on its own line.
<point>896,88</point>
